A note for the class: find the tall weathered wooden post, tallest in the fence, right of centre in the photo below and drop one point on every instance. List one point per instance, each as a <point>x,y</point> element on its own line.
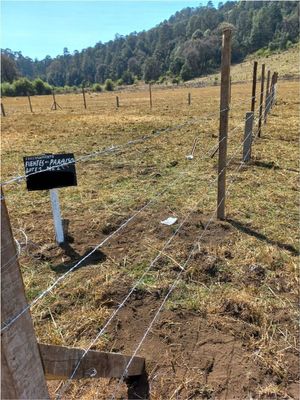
<point>223,129</point>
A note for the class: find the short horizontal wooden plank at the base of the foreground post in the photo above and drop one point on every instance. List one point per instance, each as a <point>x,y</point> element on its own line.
<point>59,363</point>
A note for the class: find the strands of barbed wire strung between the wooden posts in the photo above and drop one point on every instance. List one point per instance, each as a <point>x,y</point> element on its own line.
<point>113,149</point>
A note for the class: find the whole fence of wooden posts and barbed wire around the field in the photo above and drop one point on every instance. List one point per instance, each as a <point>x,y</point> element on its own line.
<point>24,371</point>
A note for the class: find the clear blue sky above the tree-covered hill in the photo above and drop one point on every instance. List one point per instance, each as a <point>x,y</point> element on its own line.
<point>40,28</point>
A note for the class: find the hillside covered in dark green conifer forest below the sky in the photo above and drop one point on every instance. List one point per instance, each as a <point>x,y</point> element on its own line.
<point>186,46</point>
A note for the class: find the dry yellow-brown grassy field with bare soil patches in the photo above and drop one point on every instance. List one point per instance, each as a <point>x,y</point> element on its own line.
<point>229,328</point>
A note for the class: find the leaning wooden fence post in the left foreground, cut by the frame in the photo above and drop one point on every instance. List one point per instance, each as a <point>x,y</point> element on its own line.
<point>22,374</point>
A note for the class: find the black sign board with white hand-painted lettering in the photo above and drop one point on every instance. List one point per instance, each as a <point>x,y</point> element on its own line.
<point>49,171</point>
